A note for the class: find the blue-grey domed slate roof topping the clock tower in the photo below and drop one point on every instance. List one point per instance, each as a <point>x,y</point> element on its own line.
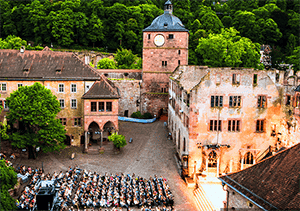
<point>166,21</point>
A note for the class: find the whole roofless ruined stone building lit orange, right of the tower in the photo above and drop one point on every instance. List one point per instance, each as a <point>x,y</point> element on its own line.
<point>227,119</point>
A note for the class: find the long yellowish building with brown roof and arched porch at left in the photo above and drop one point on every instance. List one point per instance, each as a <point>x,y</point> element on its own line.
<point>70,80</point>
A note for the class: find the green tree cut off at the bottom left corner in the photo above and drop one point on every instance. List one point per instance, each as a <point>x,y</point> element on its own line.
<point>8,179</point>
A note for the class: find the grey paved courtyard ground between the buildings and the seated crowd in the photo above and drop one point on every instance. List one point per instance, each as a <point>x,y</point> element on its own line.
<point>149,154</point>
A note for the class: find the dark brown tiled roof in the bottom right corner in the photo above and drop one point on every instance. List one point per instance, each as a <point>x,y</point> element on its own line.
<point>272,183</point>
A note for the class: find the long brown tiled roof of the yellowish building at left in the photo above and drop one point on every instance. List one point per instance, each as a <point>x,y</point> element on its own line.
<point>44,64</point>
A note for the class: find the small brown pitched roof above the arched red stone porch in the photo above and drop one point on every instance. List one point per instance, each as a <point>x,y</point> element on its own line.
<point>102,89</point>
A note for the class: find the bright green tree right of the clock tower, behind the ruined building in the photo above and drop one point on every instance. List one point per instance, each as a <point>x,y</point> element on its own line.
<point>228,50</point>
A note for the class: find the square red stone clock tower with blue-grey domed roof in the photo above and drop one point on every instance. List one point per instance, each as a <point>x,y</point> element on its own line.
<point>165,47</point>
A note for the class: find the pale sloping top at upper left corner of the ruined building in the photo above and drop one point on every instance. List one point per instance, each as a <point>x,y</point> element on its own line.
<point>189,76</point>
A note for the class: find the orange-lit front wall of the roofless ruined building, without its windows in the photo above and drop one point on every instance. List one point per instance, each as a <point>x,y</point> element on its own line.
<point>201,113</point>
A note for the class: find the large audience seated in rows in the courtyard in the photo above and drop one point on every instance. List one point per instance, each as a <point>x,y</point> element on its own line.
<point>77,190</point>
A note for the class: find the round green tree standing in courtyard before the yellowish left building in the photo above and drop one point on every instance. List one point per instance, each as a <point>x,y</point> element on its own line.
<point>35,108</point>
